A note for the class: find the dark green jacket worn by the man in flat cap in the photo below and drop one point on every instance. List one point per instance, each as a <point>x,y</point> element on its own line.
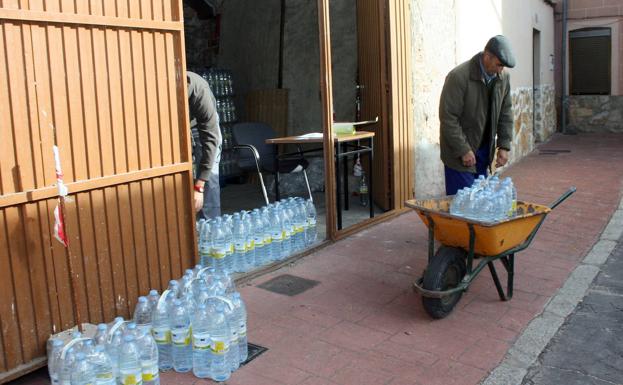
<point>463,114</point>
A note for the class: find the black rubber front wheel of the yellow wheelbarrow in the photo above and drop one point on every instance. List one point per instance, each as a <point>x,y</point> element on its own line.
<point>445,271</point>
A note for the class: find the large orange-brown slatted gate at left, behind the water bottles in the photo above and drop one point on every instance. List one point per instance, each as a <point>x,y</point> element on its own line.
<point>105,80</point>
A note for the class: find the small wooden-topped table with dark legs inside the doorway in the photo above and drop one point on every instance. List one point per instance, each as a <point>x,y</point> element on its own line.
<point>345,145</point>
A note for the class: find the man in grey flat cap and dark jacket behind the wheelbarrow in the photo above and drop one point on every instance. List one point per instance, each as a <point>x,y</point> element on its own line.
<point>475,113</point>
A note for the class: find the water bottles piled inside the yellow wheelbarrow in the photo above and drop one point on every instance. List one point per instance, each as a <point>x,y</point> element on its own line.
<point>489,199</point>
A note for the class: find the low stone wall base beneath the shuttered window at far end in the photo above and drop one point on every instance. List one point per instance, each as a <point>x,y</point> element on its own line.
<point>595,114</point>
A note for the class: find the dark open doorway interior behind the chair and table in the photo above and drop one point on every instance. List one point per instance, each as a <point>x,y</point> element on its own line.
<point>268,54</point>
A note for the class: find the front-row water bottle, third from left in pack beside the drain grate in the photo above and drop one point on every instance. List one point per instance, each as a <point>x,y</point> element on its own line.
<point>201,342</point>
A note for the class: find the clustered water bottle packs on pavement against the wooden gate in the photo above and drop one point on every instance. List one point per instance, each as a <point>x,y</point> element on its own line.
<point>198,324</point>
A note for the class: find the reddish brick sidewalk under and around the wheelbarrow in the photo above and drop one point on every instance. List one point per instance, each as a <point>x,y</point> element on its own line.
<point>364,325</point>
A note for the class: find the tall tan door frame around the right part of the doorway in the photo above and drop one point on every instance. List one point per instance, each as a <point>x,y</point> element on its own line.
<point>400,113</point>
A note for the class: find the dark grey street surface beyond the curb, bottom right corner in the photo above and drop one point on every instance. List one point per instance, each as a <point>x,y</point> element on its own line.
<point>588,348</point>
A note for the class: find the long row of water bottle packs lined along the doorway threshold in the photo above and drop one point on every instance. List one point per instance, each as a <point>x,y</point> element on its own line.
<point>249,239</point>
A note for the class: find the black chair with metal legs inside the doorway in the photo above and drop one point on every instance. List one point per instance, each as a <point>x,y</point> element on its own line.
<point>254,154</point>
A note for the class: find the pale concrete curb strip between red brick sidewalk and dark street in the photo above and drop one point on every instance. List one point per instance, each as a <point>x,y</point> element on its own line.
<point>529,345</point>
